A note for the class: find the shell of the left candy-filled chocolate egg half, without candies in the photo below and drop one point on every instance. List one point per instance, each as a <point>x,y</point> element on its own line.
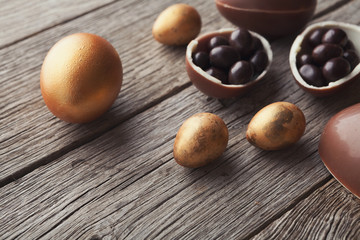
<point>208,84</point>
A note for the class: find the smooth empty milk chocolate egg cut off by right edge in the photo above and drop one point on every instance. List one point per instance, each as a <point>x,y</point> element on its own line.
<point>339,148</point>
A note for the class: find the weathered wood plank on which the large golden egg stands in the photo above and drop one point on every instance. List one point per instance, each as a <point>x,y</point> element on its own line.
<point>151,72</point>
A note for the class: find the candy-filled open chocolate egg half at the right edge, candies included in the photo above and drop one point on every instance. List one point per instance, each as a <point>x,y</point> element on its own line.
<point>338,76</point>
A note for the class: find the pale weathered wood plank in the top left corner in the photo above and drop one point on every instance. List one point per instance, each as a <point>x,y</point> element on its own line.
<point>20,19</point>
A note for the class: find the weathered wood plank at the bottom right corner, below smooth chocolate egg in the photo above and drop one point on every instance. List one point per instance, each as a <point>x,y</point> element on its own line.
<point>331,212</point>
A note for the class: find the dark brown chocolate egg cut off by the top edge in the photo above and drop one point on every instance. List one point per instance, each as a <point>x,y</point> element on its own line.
<point>270,18</point>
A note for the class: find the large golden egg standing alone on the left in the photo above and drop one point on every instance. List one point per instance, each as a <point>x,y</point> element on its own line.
<point>81,77</point>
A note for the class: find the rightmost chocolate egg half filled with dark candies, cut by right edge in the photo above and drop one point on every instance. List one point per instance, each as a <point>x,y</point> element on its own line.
<point>313,42</point>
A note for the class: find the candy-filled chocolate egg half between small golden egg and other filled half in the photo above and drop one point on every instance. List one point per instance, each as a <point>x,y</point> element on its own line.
<point>215,66</point>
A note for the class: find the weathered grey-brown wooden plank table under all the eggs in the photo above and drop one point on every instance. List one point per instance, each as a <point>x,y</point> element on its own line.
<point>115,178</point>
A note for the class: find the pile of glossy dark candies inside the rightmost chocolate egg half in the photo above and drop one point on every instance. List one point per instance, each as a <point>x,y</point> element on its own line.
<point>327,50</point>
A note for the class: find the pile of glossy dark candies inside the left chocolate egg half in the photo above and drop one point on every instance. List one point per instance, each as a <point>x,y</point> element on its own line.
<point>240,56</point>
